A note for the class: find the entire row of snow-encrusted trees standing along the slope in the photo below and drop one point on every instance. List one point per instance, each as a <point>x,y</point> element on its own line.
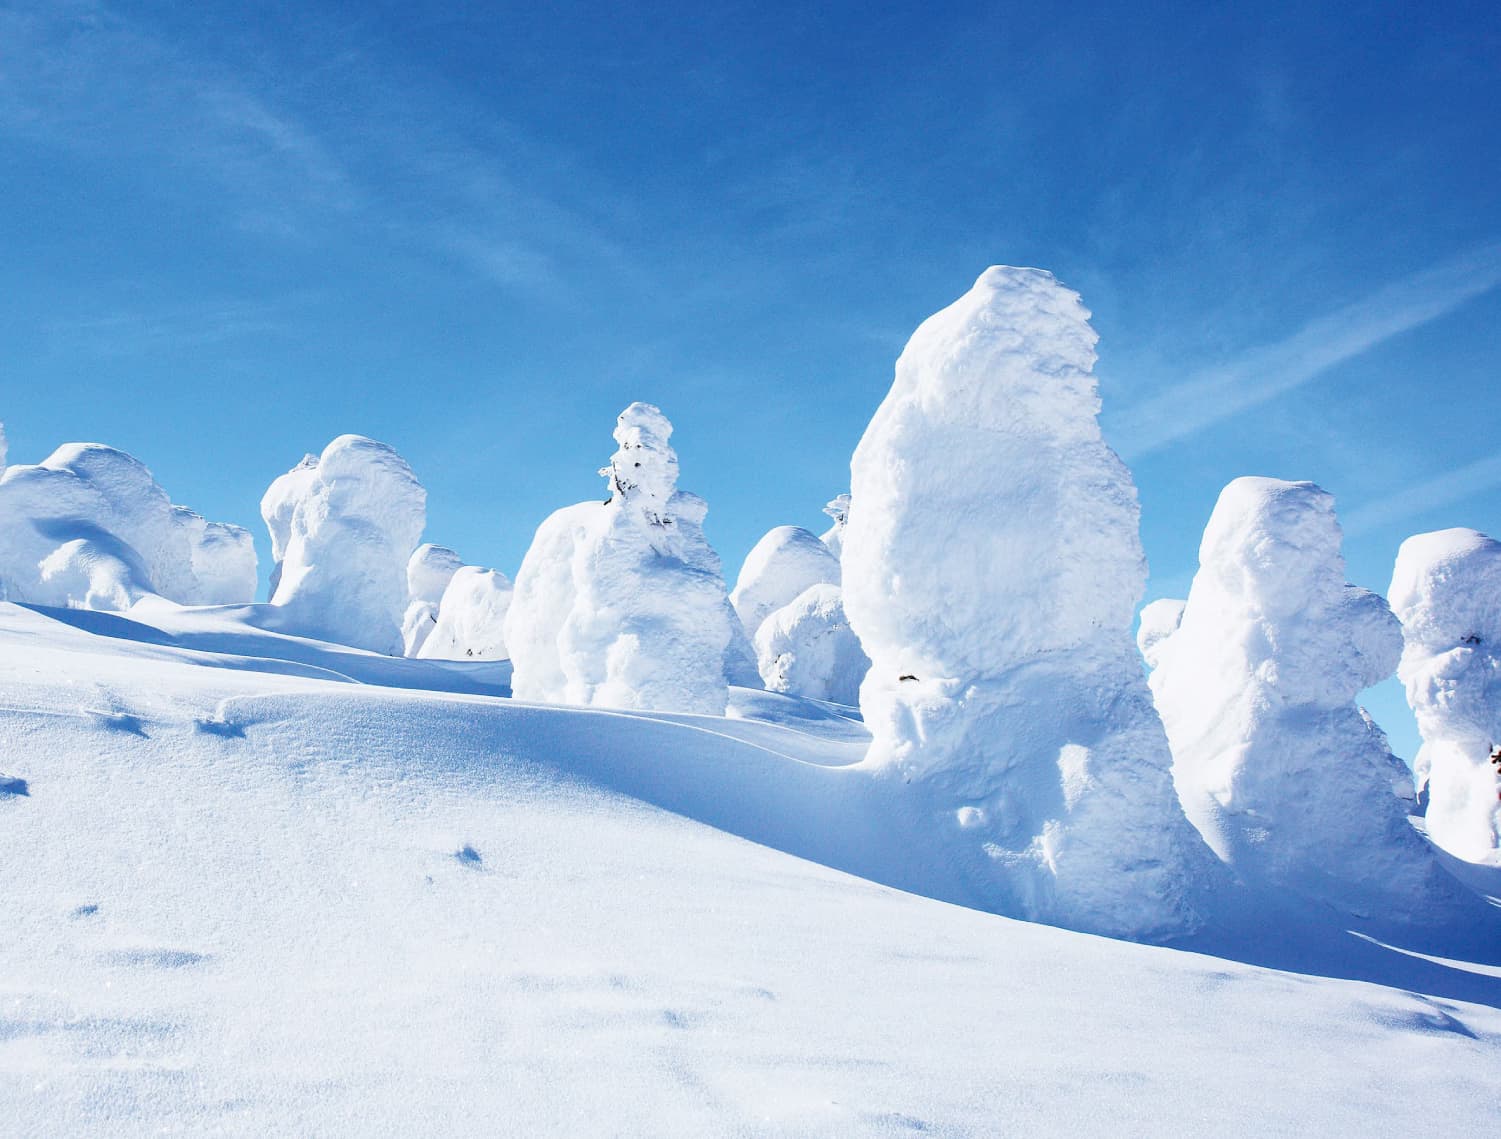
<point>1072,790</point>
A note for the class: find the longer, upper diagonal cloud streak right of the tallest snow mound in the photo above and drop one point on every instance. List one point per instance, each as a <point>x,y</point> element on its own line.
<point>1325,343</point>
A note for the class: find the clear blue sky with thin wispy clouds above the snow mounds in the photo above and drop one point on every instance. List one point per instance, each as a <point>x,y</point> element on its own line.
<point>477,232</point>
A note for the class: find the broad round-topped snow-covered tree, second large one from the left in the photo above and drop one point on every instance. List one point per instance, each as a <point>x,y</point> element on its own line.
<point>343,529</point>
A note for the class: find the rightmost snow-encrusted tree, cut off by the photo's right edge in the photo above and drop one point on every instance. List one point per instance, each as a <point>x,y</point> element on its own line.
<point>1448,591</point>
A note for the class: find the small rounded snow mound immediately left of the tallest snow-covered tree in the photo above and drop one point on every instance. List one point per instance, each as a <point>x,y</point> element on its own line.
<point>808,649</point>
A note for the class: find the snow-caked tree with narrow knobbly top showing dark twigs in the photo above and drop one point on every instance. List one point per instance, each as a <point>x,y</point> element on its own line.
<point>622,604</point>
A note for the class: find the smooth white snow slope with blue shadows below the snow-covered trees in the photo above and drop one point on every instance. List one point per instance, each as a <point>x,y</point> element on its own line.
<point>257,885</point>
